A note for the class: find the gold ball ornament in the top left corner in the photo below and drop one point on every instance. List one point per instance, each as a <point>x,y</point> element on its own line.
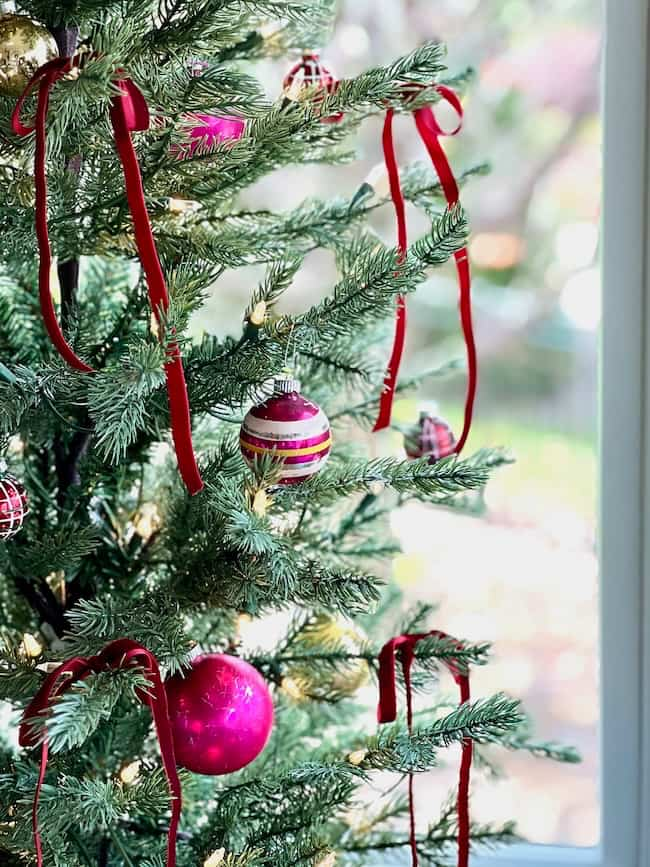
<point>24,46</point>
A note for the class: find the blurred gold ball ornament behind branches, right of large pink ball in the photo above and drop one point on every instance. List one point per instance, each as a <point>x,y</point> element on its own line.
<point>315,679</point>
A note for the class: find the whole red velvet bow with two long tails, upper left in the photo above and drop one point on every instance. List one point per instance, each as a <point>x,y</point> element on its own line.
<point>128,113</point>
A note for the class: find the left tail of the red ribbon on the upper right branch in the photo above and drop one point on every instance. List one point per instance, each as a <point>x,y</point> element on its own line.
<point>392,371</point>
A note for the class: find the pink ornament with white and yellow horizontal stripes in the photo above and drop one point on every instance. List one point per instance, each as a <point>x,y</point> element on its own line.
<point>289,427</point>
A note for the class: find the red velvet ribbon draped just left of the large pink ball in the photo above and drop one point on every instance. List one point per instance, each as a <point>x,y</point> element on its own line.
<point>118,654</point>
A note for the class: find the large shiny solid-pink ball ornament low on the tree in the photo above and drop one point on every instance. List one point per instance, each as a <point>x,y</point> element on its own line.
<point>221,714</point>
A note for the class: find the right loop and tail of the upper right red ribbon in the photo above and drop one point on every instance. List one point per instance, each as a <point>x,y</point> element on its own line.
<point>431,133</point>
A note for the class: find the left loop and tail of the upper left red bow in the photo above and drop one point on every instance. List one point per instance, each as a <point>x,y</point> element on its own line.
<point>45,77</point>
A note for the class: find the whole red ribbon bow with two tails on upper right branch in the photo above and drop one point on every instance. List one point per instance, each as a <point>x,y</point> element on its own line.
<point>431,133</point>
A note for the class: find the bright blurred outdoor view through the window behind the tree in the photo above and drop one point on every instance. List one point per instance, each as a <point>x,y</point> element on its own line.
<point>526,576</point>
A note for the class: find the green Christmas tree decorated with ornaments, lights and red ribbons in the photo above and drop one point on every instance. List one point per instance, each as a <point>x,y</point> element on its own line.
<point>133,539</point>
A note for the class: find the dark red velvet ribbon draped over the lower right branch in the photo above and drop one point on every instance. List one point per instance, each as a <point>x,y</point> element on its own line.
<point>387,712</point>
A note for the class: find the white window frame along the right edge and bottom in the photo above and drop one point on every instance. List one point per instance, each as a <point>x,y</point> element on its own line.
<point>625,470</point>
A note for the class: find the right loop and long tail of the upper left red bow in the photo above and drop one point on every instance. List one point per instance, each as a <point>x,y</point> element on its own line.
<point>129,112</point>
